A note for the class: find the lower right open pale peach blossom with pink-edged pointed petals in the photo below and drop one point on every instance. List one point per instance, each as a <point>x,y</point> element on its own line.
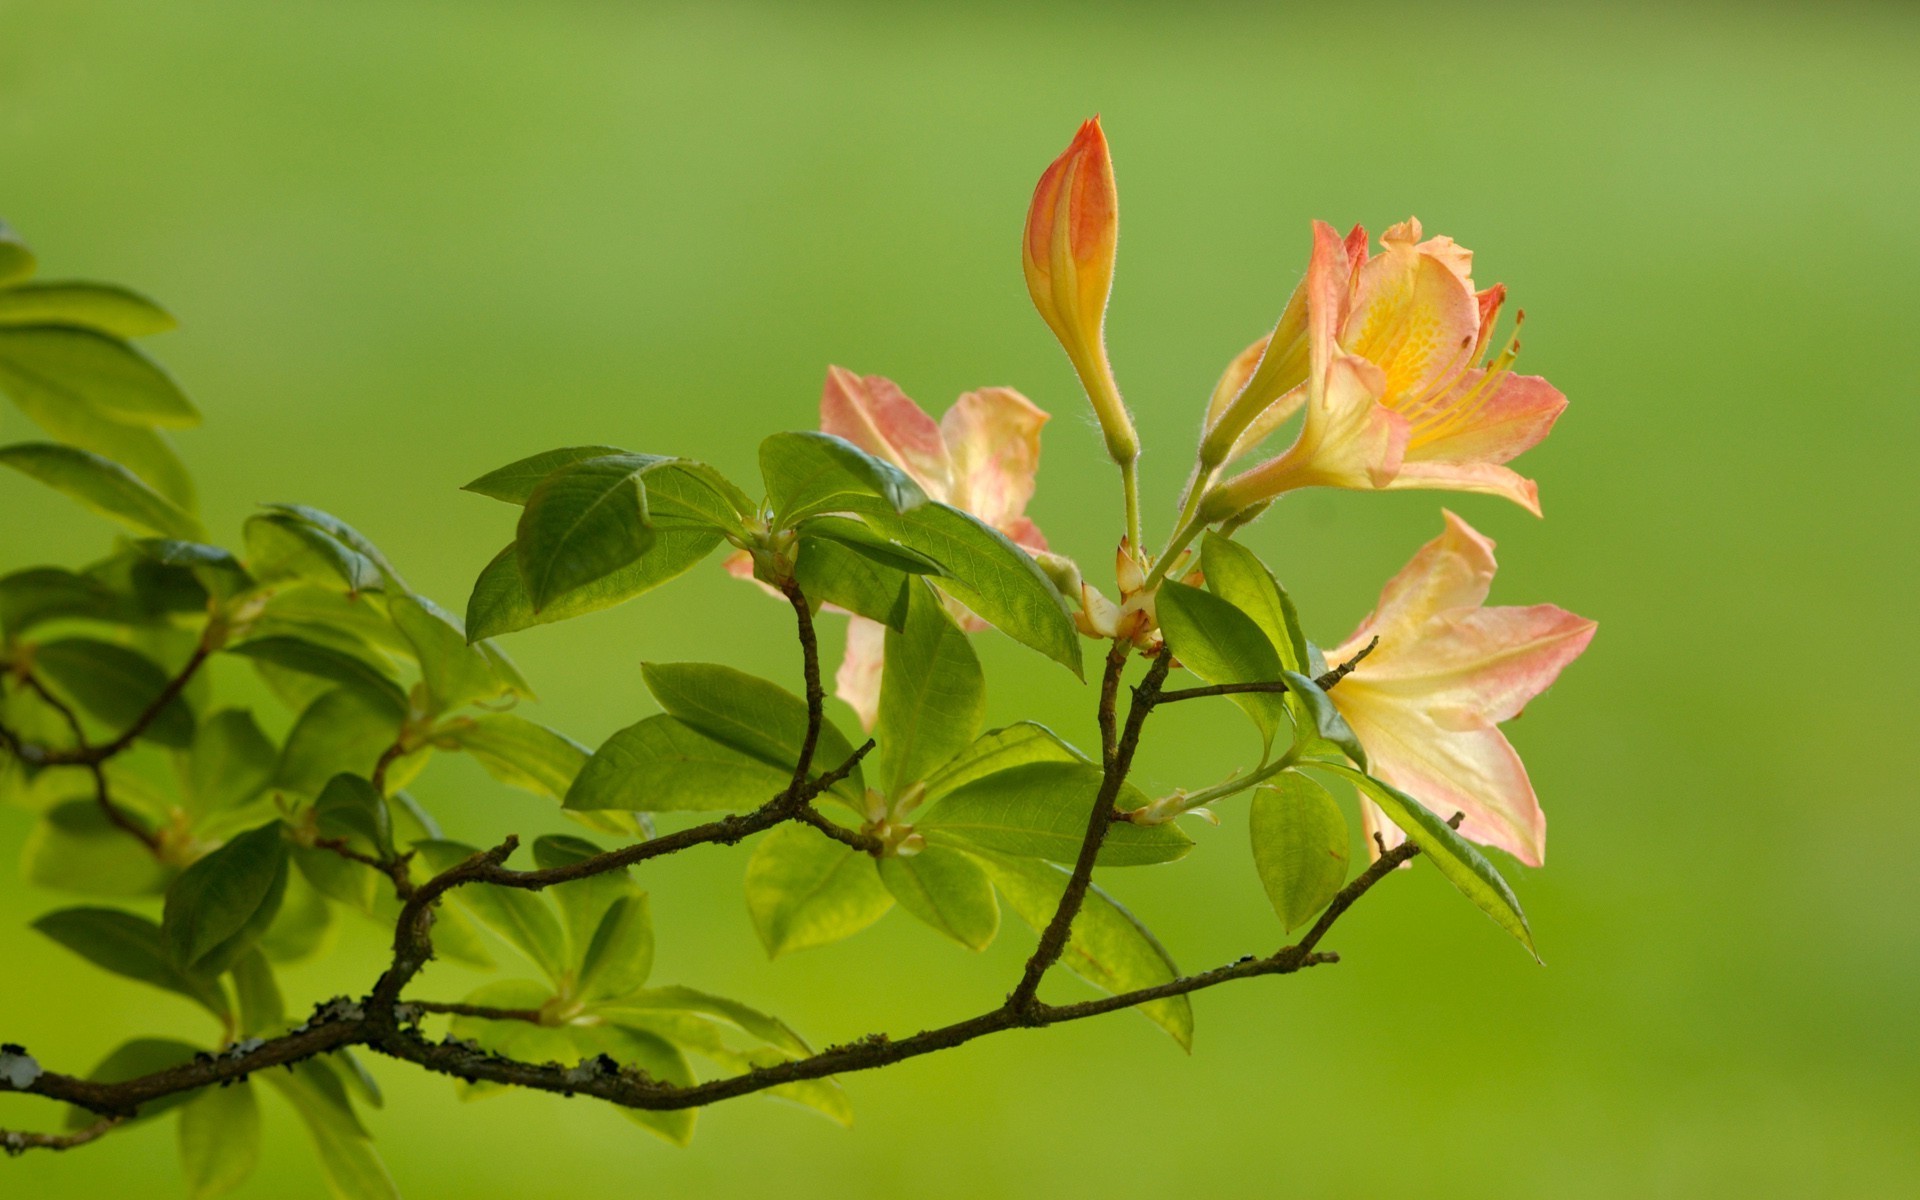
<point>1429,700</point>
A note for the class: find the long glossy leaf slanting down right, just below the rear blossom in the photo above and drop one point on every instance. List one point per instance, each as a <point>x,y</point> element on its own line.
<point>990,575</point>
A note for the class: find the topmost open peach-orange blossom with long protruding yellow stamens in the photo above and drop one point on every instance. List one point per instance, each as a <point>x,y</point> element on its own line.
<point>1385,352</point>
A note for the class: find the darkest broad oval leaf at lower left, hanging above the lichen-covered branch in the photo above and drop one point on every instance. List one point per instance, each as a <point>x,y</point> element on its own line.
<point>222,905</point>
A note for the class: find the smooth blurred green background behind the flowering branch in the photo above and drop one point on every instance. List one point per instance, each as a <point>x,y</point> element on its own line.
<point>414,241</point>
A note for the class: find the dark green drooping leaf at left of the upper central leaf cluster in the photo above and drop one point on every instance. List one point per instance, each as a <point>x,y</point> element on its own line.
<point>585,523</point>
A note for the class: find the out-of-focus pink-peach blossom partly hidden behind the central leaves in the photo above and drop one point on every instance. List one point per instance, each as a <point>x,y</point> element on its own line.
<point>982,456</point>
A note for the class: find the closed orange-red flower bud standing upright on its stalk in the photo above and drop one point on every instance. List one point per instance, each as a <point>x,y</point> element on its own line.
<point>1068,256</point>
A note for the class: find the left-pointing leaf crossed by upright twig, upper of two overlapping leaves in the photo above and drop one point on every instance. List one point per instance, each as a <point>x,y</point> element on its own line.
<point>754,717</point>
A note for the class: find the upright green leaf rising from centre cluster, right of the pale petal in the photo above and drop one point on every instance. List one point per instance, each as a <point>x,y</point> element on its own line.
<point>932,696</point>
